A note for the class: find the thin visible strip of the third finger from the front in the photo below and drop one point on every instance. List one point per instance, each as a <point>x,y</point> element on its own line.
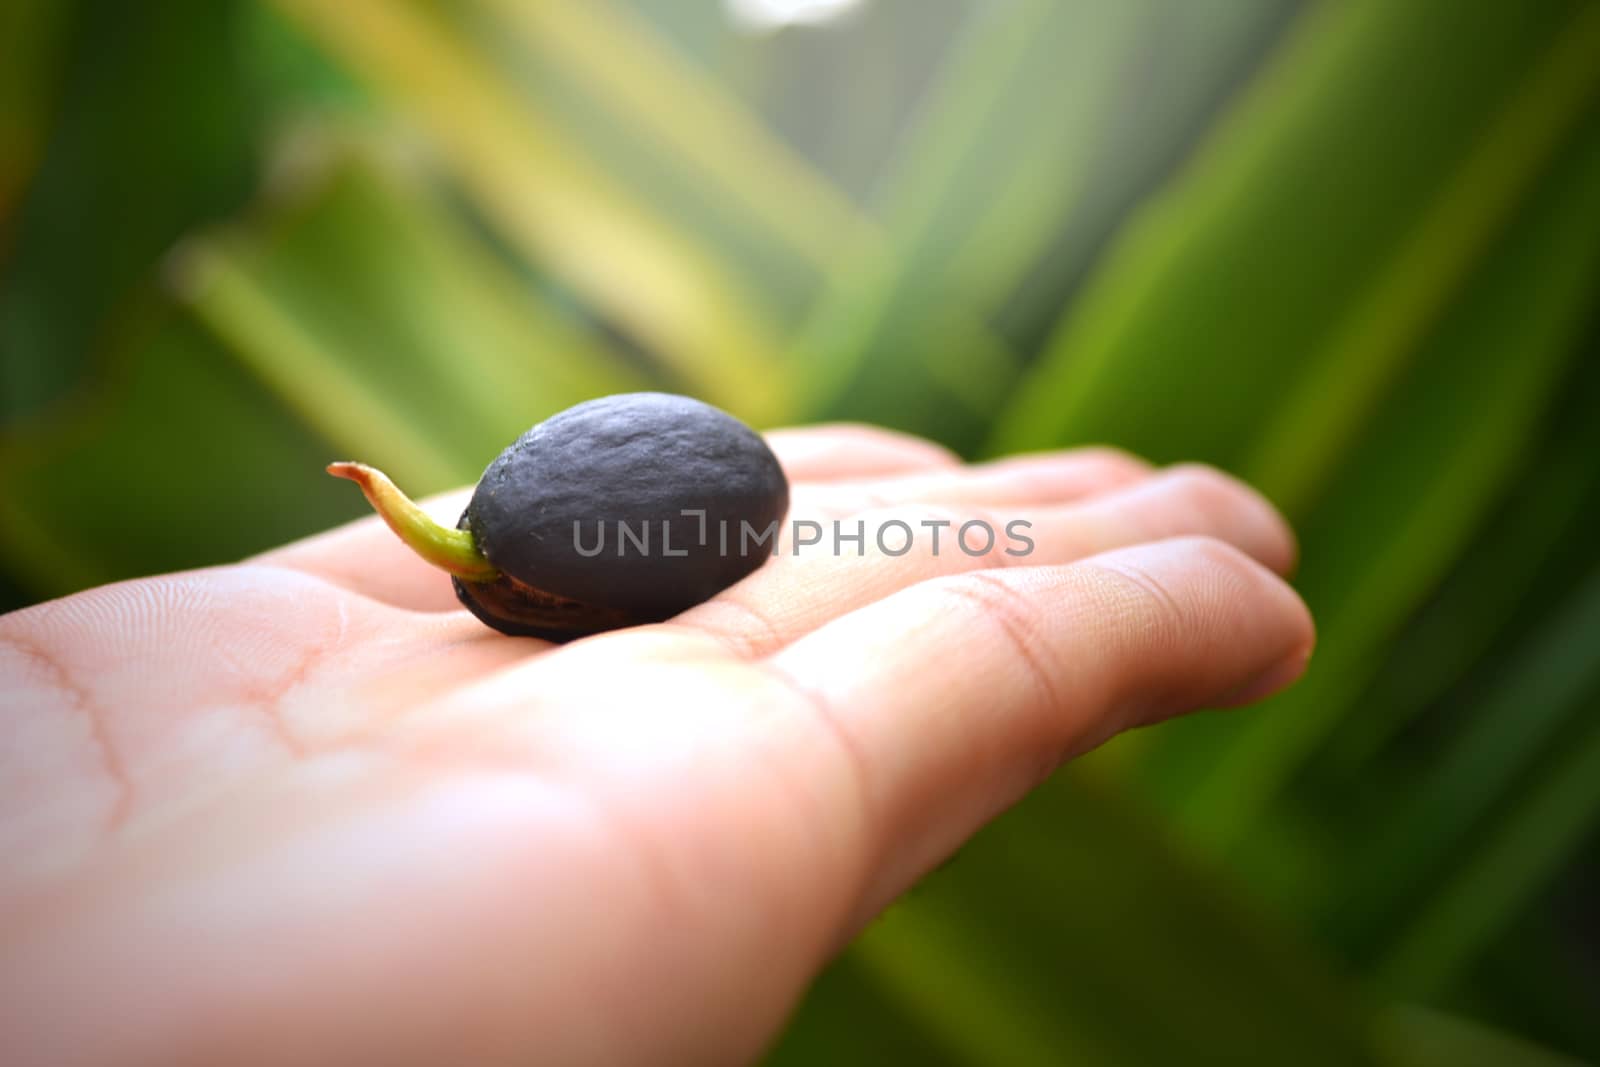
<point>1017,481</point>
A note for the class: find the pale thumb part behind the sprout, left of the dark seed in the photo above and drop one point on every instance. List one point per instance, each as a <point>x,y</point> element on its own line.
<point>367,559</point>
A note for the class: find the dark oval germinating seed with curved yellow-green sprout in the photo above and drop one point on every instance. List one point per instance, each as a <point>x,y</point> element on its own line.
<point>604,516</point>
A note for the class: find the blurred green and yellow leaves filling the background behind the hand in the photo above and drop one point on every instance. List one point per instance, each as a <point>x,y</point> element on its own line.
<point>1348,249</point>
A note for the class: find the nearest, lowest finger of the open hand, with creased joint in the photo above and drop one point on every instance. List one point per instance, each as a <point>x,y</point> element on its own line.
<point>958,697</point>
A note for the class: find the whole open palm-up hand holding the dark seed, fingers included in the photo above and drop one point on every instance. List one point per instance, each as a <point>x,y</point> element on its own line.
<point>306,810</point>
